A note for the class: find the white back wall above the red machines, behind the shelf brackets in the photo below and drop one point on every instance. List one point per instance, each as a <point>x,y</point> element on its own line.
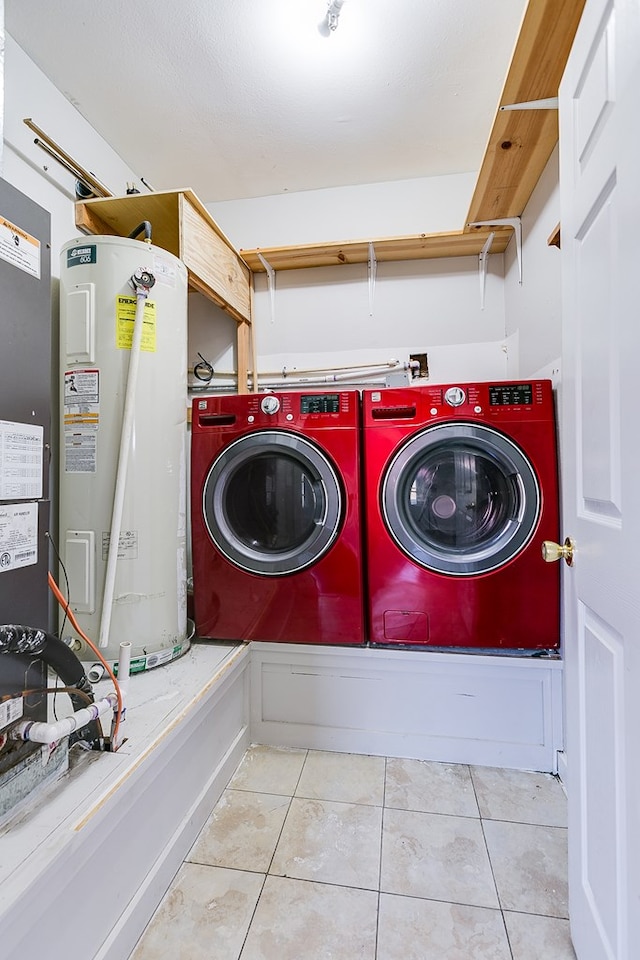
<point>332,317</point>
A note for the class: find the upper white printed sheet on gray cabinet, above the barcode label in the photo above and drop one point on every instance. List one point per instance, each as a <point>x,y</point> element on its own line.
<point>21,456</point>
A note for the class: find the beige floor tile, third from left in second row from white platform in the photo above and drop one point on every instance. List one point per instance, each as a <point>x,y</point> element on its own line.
<point>436,857</point>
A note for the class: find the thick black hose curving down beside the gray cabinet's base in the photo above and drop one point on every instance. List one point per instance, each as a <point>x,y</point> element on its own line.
<point>33,642</point>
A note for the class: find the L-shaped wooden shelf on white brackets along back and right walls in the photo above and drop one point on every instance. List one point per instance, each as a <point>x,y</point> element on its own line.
<point>519,146</point>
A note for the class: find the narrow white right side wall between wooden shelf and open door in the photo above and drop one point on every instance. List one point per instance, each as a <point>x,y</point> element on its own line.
<point>533,310</point>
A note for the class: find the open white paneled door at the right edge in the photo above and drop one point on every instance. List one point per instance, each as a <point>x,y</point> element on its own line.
<point>600,444</point>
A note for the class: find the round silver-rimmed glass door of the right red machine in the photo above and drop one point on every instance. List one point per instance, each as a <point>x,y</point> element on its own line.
<point>460,499</point>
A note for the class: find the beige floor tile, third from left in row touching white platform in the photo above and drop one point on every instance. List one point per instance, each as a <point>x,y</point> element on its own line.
<point>430,787</point>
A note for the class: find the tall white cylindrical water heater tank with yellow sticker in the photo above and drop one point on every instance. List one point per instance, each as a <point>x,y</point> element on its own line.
<point>97,314</point>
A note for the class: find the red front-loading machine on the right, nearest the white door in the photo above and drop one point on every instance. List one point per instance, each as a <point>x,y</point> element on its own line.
<point>461,489</point>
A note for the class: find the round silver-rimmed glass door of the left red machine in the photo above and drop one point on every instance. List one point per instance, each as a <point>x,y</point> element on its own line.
<point>272,503</point>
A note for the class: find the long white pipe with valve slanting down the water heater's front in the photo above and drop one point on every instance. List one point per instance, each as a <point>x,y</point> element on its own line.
<point>142,282</point>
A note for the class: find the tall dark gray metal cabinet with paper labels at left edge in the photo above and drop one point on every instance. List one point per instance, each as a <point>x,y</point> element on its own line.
<point>25,418</point>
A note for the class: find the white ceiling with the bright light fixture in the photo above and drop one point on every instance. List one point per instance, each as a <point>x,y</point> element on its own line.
<point>246,98</point>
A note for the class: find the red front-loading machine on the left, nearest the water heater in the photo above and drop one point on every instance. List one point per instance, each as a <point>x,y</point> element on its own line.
<point>276,536</point>
